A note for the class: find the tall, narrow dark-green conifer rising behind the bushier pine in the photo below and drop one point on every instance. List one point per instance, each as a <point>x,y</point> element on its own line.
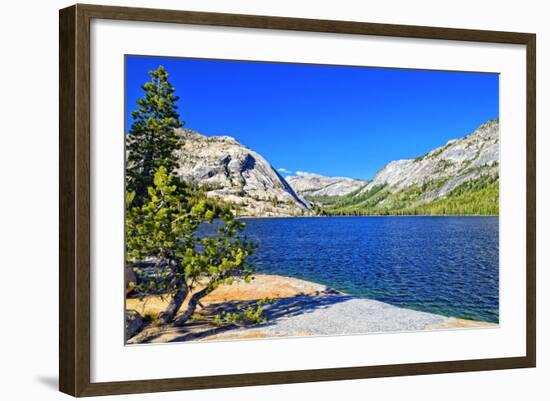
<point>152,140</point>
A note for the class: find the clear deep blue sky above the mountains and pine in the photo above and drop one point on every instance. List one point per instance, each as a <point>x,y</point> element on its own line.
<point>331,120</point>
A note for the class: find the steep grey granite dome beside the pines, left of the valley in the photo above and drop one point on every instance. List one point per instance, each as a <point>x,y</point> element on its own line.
<point>238,175</point>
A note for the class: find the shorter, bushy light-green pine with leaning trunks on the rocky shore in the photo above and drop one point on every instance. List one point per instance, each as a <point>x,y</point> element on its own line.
<point>164,230</point>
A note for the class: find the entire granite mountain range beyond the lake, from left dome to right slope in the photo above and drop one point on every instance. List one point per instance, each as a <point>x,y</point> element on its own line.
<point>448,179</point>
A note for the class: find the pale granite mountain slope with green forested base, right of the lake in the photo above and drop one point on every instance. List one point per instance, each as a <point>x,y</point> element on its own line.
<point>458,178</point>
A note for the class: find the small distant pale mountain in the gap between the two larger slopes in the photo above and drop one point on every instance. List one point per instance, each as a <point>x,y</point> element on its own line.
<point>309,184</point>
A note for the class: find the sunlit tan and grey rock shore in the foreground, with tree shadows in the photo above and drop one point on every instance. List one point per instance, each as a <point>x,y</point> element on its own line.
<point>301,308</point>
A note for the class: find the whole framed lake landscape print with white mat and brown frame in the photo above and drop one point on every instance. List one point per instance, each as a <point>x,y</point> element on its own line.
<point>250,200</point>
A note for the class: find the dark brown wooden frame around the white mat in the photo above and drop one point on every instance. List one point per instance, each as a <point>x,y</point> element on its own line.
<point>74,199</point>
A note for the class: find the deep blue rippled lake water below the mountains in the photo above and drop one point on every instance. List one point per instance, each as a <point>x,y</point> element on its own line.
<point>444,265</point>
